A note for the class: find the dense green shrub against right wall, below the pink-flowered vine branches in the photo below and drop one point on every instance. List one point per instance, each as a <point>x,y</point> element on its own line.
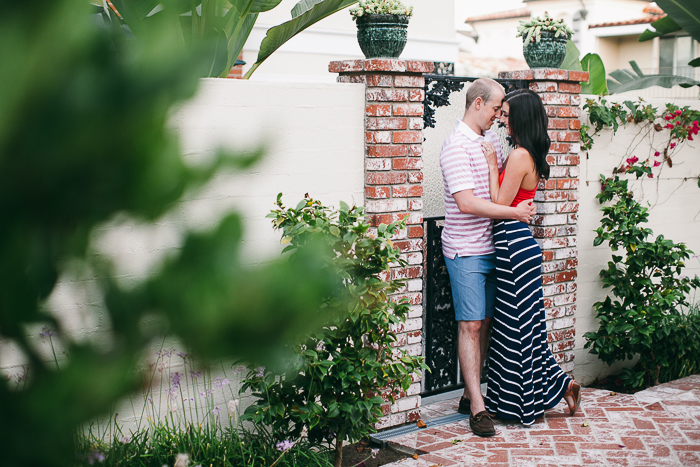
<point>643,317</point>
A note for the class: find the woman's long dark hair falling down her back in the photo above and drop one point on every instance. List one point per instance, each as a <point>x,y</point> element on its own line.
<point>527,120</point>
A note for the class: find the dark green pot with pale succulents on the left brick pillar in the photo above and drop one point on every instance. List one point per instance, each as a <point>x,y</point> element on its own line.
<point>381,27</point>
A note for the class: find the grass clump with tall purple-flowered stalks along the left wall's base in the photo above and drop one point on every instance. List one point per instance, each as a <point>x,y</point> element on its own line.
<point>190,416</point>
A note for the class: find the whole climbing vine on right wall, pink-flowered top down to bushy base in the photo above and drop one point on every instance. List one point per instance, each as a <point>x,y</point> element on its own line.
<point>649,311</point>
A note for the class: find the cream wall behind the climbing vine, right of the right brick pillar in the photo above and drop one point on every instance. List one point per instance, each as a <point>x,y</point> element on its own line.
<point>674,213</point>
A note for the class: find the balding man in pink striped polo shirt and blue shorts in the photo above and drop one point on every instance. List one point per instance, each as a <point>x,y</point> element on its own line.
<point>467,239</point>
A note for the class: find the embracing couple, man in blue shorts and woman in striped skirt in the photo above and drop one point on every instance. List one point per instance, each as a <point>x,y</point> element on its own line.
<point>494,263</point>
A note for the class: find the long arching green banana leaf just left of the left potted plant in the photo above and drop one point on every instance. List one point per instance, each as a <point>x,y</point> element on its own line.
<point>278,35</point>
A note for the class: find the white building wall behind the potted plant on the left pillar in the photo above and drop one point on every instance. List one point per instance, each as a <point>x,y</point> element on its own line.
<point>305,58</point>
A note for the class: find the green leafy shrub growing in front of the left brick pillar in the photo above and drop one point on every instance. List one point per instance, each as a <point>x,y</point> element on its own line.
<point>332,388</point>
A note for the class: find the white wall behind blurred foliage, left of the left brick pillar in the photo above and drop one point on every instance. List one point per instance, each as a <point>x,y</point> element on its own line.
<point>314,140</point>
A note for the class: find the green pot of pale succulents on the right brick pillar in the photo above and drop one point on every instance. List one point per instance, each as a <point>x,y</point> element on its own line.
<point>544,41</point>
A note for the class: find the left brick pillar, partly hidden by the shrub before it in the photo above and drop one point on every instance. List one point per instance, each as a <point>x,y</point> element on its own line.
<point>393,186</point>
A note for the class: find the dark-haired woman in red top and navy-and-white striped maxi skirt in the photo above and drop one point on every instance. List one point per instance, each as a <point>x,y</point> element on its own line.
<point>524,378</point>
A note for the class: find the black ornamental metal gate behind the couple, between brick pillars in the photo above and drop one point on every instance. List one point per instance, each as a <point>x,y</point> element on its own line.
<point>440,330</point>
